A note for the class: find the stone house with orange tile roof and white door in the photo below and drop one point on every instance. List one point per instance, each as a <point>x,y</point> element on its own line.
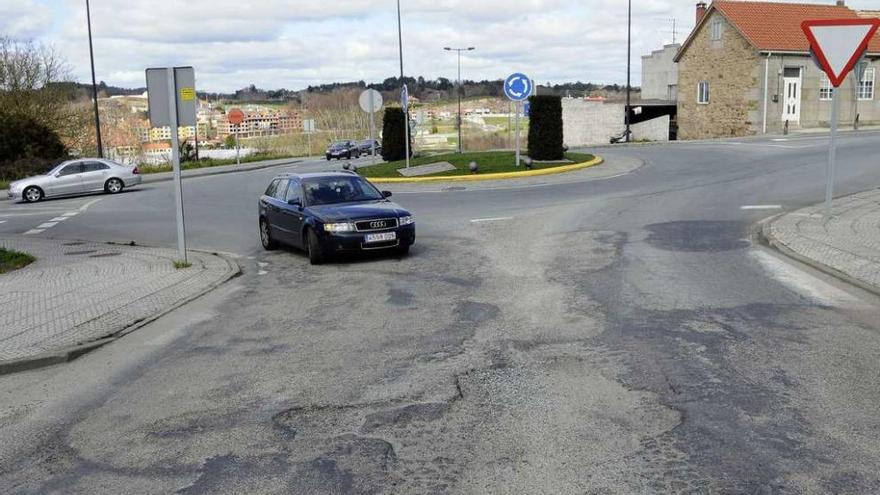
<point>746,69</point>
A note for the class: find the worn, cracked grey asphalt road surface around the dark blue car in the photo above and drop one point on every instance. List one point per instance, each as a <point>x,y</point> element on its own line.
<point>587,335</point>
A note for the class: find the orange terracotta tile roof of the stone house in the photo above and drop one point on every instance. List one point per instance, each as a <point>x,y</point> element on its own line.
<point>776,26</point>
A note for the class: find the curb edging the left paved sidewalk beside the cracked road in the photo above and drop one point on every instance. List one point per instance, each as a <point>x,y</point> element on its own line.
<point>69,354</point>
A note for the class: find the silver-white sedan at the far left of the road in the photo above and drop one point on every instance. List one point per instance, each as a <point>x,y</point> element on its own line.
<point>83,176</point>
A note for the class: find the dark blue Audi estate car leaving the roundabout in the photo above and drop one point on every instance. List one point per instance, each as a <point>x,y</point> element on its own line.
<point>330,213</point>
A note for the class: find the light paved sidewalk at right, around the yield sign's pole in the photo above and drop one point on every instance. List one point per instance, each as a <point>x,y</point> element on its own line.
<point>848,246</point>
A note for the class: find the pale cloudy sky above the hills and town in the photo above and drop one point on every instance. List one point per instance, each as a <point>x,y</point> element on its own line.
<point>295,43</point>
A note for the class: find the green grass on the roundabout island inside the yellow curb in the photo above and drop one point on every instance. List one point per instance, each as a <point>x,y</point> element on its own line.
<point>489,163</point>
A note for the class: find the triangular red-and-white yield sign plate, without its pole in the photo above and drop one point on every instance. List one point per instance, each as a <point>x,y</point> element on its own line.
<point>839,43</point>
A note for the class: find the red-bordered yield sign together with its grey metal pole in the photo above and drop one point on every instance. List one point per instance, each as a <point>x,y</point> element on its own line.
<point>837,45</point>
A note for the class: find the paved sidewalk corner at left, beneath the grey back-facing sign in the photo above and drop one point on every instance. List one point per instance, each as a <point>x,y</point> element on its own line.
<point>77,295</point>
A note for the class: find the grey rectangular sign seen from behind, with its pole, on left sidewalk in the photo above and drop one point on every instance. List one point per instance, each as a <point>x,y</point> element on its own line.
<point>172,103</point>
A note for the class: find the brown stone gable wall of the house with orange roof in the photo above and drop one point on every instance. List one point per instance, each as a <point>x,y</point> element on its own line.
<point>731,66</point>
